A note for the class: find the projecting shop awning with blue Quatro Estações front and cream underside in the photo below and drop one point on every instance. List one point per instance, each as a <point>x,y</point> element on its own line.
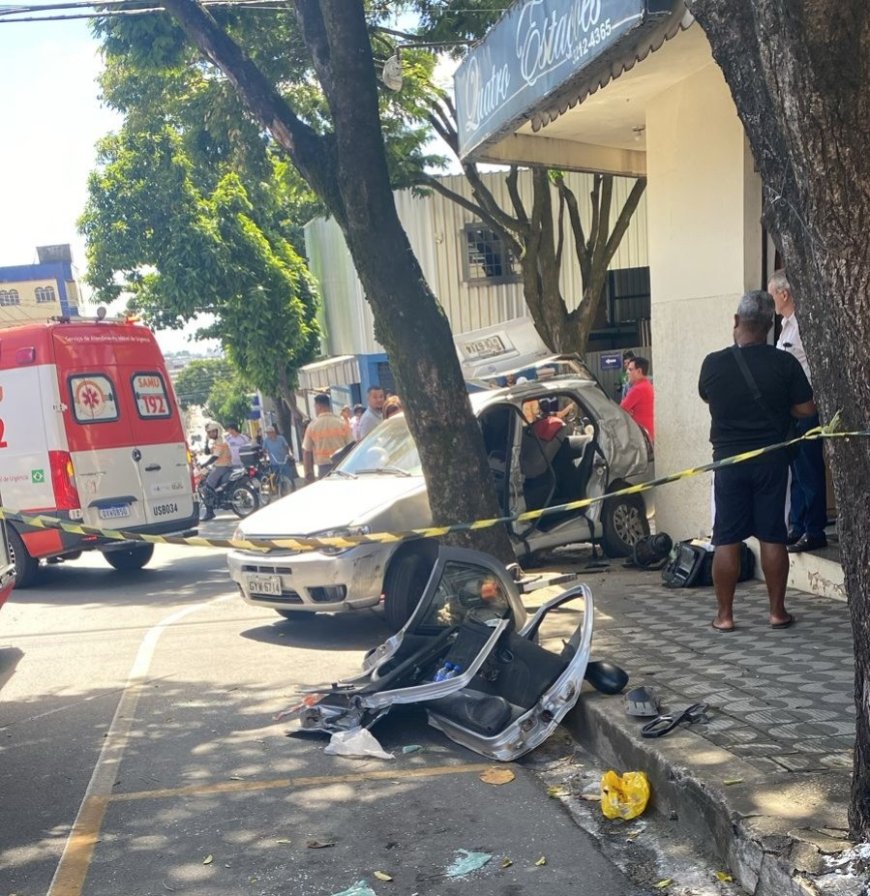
<point>544,58</point>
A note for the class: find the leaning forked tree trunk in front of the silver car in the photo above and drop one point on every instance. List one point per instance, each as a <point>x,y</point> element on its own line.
<point>348,171</point>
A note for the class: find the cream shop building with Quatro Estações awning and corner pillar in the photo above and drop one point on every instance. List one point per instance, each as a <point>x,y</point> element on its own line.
<point>631,87</point>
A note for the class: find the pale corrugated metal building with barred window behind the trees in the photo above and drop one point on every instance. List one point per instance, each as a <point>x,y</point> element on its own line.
<point>473,276</point>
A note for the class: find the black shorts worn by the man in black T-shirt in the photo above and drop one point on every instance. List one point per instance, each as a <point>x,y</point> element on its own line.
<point>750,500</point>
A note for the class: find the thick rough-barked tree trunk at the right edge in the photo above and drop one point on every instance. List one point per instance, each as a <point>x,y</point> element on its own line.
<point>799,73</point>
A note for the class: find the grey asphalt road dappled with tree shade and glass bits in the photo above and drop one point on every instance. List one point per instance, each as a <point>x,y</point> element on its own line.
<point>139,755</point>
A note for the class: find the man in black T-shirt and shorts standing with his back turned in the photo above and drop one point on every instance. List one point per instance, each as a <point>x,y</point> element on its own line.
<point>750,496</point>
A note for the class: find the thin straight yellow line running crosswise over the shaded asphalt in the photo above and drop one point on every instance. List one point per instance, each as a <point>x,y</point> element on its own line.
<point>287,783</point>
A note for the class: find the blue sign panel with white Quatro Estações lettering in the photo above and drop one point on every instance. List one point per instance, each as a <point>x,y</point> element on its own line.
<point>533,50</point>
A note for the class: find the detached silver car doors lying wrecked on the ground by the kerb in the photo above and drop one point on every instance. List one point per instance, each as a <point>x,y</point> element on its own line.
<point>470,656</point>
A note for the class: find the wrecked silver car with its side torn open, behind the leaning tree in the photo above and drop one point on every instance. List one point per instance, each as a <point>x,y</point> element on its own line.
<point>379,487</point>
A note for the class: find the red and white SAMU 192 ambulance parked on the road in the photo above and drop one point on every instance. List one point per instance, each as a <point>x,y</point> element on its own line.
<point>90,433</point>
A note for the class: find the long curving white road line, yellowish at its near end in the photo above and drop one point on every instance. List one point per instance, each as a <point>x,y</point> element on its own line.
<point>69,876</point>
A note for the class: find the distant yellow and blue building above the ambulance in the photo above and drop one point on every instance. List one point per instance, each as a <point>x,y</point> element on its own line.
<point>35,292</point>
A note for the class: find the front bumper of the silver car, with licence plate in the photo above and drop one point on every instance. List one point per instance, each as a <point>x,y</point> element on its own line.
<point>311,582</point>
